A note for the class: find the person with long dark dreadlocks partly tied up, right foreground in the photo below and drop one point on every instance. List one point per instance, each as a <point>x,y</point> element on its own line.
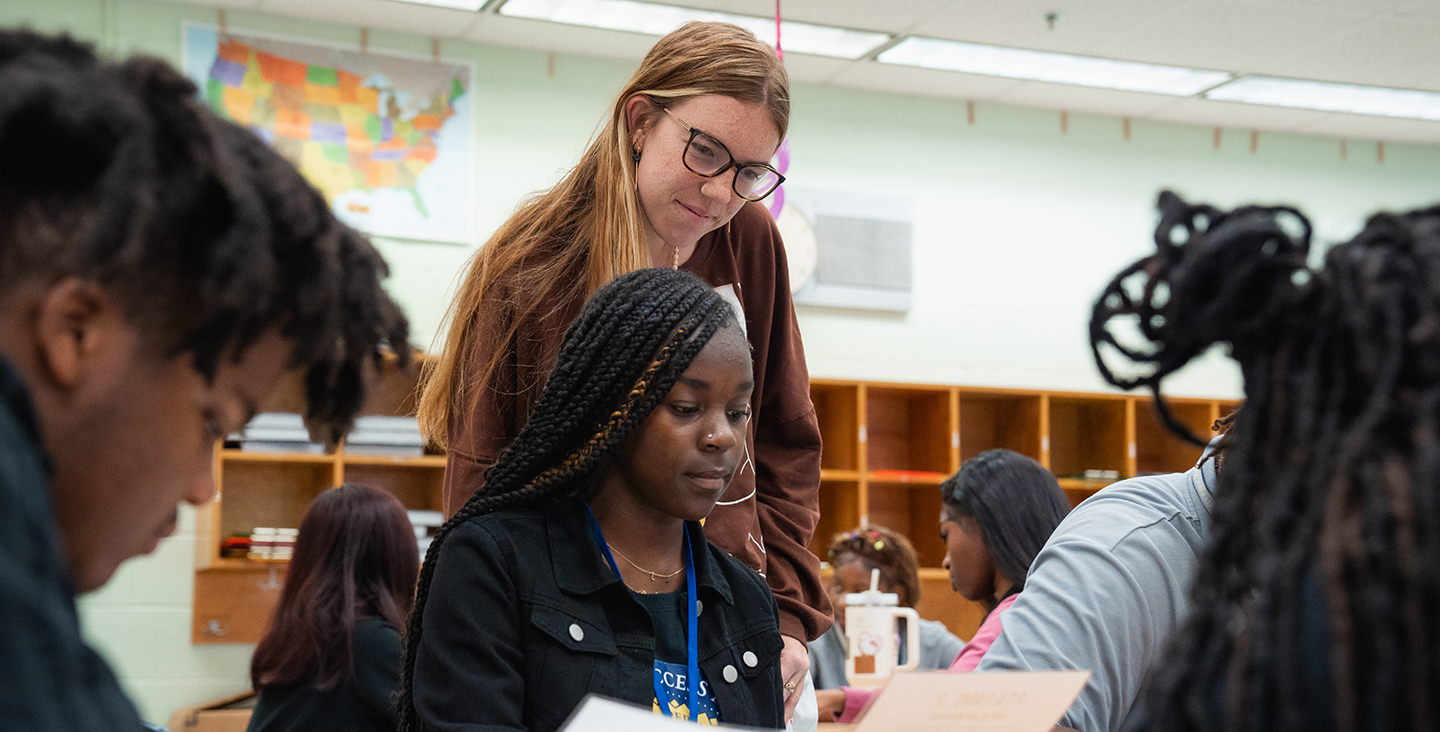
<point>1317,602</point>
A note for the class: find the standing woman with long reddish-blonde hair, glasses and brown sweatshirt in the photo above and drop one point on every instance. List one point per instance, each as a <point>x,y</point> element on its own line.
<point>675,179</point>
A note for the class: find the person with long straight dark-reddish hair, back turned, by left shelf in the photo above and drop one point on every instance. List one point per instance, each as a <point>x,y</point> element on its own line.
<point>332,656</point>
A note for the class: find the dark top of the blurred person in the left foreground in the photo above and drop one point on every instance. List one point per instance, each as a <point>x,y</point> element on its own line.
<point>50,679</point>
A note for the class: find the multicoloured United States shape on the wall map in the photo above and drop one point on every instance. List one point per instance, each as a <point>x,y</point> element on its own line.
<point>326,122</point>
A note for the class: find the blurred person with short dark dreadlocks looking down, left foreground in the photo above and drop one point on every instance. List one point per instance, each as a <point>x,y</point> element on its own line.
<point>161,270</point>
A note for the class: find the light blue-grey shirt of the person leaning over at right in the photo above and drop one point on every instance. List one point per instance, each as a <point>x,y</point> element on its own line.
<point>1108,590</point>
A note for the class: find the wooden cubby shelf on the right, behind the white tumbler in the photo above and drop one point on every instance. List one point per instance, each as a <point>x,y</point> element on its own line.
<point>889,447</point>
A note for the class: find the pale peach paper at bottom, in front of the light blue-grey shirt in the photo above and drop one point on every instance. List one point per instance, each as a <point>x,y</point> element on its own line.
<point>974,702</point>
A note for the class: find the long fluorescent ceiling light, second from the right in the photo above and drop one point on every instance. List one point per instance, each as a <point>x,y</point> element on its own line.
<point>1061,68</point>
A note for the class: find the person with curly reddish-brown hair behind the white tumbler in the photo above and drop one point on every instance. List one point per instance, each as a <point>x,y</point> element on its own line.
<point>853,555</point>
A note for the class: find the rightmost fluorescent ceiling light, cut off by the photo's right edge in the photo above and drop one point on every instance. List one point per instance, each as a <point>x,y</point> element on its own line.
<point>1331,97</point>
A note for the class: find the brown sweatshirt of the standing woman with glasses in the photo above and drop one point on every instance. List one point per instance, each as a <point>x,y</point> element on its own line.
<point>770,512</point>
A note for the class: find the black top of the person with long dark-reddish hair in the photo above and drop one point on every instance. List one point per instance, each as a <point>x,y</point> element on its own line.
<point>361,704</point>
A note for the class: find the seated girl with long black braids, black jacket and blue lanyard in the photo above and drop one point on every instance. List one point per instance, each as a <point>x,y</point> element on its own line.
<point>582,567</point>
